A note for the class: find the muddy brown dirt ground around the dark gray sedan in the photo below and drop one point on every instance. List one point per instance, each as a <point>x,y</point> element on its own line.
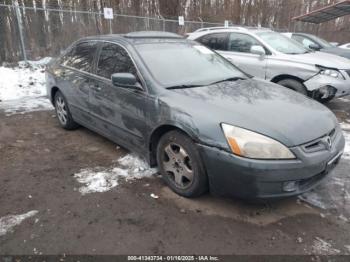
<point>38,160</point>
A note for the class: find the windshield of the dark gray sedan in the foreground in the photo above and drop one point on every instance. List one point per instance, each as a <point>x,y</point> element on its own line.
<point>186,64</point>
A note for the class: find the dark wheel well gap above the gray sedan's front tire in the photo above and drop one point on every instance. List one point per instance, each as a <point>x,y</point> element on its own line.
<point>155,137</point>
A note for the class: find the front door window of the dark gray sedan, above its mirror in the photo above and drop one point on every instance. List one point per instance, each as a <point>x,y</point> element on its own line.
<point>114,59</point>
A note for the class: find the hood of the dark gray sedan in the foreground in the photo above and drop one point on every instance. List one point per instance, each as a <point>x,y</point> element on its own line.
<point>257,105</point>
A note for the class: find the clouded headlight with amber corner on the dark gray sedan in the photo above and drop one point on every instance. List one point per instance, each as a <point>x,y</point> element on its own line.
<point>249,144</point>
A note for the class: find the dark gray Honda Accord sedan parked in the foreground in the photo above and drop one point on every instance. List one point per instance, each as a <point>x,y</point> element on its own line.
<point>206,124</point>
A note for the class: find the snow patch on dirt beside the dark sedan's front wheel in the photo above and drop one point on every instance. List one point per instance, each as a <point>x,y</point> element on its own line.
<point>104,179</point>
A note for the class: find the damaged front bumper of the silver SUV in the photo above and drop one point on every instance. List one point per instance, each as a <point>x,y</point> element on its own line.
<point>326,87</point>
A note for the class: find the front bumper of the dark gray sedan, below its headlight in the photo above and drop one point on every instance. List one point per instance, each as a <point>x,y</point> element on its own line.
<point>234,176</point>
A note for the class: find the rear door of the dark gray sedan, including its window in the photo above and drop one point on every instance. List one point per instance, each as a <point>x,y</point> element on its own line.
<point>75,76</point>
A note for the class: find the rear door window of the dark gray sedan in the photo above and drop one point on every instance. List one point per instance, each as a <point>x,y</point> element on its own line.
<point>81,56</point>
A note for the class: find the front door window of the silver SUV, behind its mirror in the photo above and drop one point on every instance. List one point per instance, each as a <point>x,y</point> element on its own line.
<point>241,43</point>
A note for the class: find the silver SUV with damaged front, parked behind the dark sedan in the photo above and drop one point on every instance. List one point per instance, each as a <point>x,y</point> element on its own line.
<point>269,55</point>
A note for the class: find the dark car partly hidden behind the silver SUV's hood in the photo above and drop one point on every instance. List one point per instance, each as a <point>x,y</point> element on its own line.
<point>318,44</point>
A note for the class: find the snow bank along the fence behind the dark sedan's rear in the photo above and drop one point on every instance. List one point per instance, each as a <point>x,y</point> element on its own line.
<point>22,88</point>
